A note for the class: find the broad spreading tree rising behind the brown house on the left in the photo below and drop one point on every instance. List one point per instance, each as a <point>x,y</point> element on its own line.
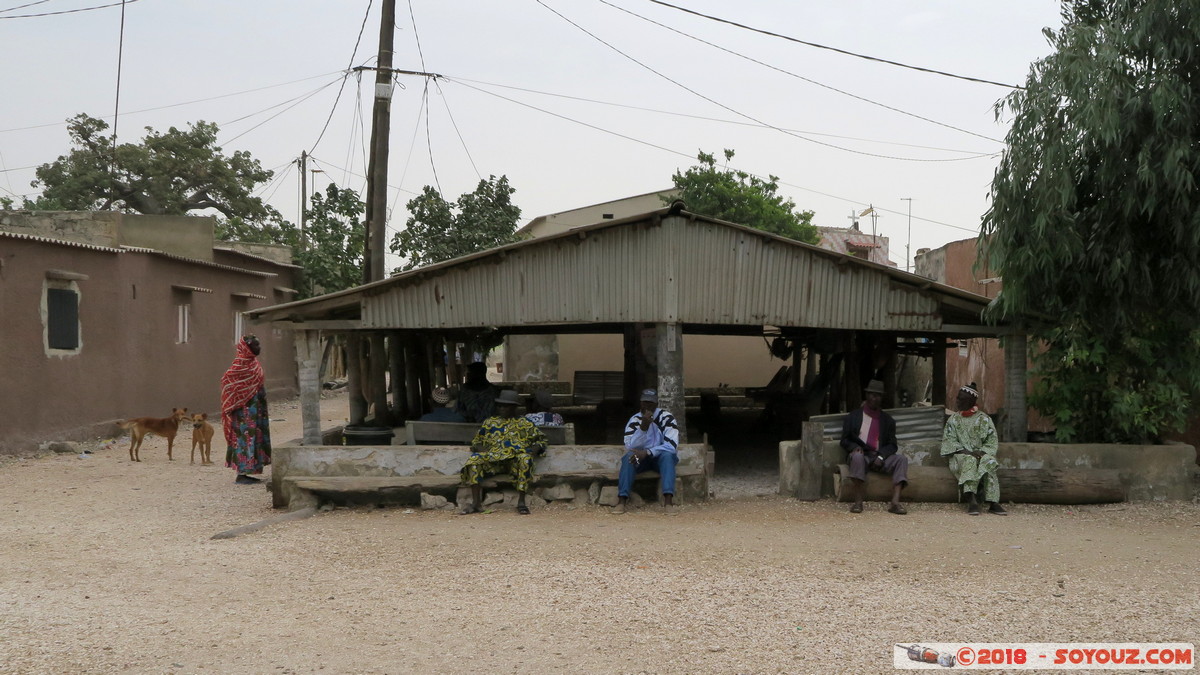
<point>173,174</point>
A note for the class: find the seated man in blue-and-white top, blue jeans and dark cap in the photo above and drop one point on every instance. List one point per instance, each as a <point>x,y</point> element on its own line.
<point>652,441</point>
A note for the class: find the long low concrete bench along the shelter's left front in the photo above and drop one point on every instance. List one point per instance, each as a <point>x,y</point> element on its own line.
<point>400,474</point>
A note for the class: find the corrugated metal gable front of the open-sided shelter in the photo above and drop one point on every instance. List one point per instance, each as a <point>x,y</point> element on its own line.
<point>667,266</point>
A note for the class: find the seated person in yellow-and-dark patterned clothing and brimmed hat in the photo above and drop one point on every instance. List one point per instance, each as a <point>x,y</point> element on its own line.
<point>506,444</point>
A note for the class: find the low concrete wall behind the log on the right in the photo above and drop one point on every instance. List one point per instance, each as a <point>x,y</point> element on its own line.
<point>1148,473</point>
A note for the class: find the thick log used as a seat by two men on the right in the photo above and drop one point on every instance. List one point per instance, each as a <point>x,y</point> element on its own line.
<point>1024,486</point>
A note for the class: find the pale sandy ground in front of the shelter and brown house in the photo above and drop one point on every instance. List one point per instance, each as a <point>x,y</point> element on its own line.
<point>109,568</point>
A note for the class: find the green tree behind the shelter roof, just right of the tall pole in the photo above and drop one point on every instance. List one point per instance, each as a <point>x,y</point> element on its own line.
<point>439,230</point>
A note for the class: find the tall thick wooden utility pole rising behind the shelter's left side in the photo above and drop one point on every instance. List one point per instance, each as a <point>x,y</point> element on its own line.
<point>377,166</point>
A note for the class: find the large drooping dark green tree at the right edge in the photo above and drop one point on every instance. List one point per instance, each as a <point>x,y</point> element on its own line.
<point>1095,219</point>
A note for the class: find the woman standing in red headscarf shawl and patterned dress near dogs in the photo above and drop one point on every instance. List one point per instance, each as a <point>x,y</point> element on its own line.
<point>244,417</point>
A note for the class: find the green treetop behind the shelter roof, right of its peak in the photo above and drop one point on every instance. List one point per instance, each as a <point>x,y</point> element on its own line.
<point>739,198</point>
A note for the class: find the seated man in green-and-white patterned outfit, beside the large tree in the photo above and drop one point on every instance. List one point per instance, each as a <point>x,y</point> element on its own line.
<point>970,445</point>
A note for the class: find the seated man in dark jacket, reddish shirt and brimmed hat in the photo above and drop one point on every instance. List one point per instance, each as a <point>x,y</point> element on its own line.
<point>869,435</point>
